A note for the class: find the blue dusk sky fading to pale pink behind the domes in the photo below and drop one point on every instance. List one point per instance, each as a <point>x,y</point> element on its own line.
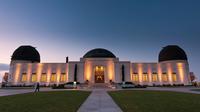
<point>134,30</point>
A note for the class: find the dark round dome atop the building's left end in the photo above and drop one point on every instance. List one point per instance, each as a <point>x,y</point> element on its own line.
<point>26,53</point>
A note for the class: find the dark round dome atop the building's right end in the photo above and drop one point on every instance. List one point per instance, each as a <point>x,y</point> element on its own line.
<point>172,52</point>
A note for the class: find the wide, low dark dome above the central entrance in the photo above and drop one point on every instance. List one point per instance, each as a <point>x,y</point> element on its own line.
<point>99,53</point>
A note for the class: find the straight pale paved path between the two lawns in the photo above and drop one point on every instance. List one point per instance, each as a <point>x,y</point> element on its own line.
<point>99,101</point>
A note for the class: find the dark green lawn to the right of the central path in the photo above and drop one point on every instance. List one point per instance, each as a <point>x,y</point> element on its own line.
<point>156,101</point>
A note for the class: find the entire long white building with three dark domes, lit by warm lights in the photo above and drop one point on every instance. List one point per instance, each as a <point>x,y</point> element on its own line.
<point>99,66</point>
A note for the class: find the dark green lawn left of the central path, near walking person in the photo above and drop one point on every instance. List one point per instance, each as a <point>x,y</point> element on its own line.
<point>57,101</point>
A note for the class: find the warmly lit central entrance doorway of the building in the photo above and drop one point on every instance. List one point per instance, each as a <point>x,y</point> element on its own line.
<point>99,74</point>
